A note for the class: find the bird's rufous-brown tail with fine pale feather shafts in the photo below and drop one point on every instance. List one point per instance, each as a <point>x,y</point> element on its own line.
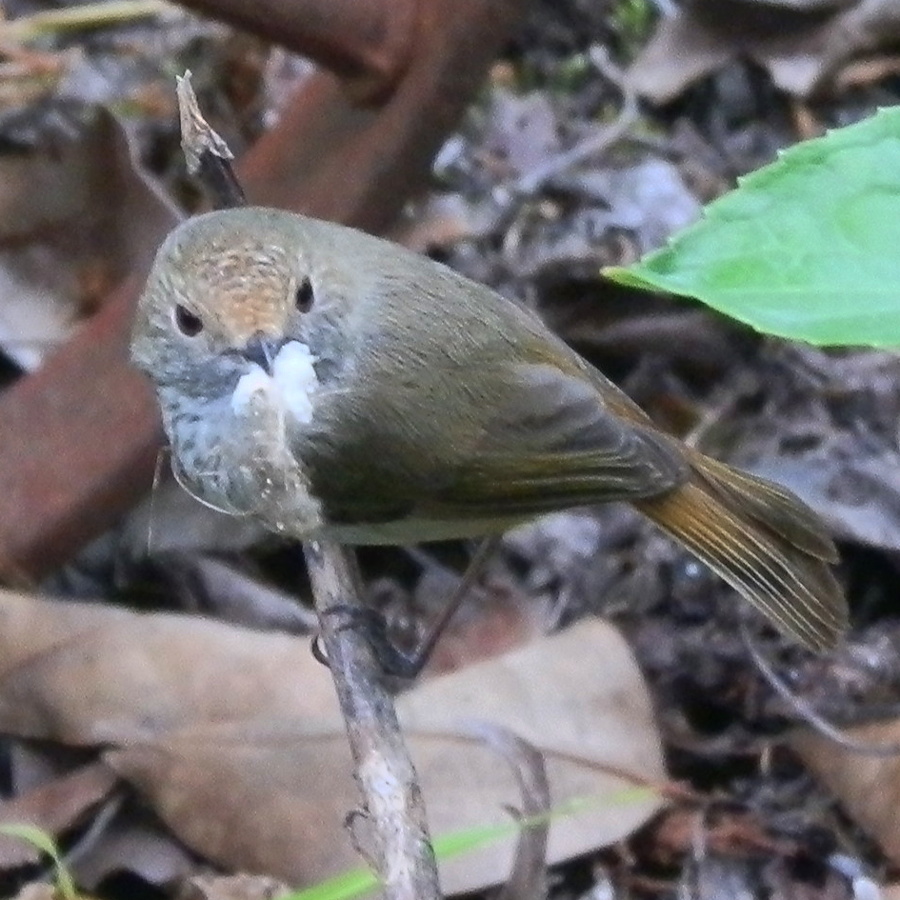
<point>763,541</point>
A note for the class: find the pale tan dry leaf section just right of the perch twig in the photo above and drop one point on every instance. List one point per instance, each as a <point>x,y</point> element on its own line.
<point>577,696</point>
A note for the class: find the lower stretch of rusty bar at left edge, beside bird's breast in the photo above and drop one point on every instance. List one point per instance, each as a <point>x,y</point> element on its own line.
<point>79,439</point>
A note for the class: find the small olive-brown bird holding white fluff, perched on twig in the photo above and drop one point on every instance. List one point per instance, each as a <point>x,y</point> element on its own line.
<point>333,384</point>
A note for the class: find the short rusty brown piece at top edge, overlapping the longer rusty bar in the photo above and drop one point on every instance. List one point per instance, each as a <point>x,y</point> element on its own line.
<point>366,43</point>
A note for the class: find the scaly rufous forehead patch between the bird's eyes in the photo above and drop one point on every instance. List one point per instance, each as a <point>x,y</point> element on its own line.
<point>244,286</point>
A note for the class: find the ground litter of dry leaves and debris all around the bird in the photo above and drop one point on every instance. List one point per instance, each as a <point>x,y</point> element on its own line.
<point>205,720</point>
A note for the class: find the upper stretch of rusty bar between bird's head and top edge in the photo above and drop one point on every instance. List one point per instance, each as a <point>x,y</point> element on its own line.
<point>381,157</point>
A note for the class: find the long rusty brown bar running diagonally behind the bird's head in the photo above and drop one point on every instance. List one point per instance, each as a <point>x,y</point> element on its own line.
<point>79,437</point>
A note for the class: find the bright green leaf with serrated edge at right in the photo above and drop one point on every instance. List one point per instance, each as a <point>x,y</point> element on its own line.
<point>806,248</point>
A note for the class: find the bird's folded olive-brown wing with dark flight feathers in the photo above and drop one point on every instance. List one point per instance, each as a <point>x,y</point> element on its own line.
<point>551,443</point>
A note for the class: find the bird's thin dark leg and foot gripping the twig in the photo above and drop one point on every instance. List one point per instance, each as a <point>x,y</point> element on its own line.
<point>395,661</point>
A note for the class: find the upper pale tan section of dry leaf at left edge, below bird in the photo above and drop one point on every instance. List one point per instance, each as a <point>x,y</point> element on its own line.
<point>83,673</point>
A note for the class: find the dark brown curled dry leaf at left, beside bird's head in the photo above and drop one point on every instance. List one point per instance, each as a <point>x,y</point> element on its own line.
<point>77,214</point>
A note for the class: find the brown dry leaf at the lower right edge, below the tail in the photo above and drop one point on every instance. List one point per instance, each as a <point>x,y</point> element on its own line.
<point>867,786</point>
